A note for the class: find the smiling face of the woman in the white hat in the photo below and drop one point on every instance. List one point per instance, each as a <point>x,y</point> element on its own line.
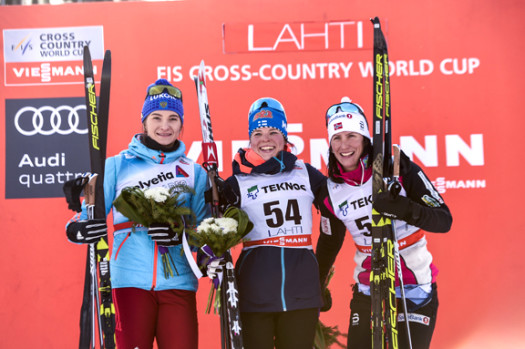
<point>347,148</point>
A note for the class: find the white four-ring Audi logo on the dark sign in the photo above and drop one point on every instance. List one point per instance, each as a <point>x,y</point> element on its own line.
<point>55,116</point>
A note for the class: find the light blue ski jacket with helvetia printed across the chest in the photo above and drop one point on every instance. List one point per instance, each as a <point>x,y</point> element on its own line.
<point>135,260</point>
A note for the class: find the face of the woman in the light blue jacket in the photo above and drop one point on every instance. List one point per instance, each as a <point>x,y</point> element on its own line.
<point>163,126</point>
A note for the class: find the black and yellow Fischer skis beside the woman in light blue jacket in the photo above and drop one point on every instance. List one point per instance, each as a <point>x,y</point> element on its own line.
<point>97,302</point>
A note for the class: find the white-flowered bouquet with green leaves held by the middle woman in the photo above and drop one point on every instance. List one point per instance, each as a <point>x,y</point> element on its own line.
<point>221,234</point>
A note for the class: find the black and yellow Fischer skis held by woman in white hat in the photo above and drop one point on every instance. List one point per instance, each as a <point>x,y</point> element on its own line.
<point>385,248</point>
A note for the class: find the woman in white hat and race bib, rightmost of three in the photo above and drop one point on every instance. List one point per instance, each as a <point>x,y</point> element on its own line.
<point>347,204</point>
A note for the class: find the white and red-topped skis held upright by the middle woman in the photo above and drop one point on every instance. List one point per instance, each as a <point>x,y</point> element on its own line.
<point>231,328</point>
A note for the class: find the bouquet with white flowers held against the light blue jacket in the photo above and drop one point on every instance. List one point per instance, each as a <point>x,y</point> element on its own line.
<point>155,205</point>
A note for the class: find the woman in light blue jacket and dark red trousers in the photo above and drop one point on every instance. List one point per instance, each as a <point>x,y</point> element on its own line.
<point>148,304</point>
